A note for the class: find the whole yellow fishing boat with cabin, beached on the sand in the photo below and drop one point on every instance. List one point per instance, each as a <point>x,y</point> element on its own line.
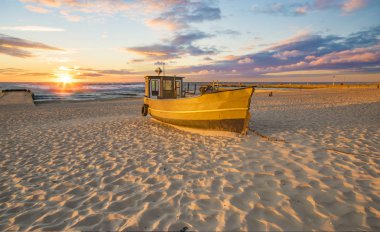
<point>226,110</point>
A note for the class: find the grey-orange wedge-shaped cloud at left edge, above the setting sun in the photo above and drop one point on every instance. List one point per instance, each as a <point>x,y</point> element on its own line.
<point>13,46</point>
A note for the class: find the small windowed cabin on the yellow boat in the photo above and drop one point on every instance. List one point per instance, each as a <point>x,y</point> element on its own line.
<point>163,87</point>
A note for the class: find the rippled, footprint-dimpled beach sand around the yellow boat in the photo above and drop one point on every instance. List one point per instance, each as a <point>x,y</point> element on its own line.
<point>101,166</point>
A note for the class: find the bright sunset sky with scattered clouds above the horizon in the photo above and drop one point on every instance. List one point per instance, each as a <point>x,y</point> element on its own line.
<point>225,40</point>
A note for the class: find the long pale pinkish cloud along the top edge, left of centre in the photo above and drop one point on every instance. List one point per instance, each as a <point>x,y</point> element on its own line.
<point>171,14</point>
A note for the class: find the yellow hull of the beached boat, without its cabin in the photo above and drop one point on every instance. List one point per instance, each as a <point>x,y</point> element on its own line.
<point>227,110</point>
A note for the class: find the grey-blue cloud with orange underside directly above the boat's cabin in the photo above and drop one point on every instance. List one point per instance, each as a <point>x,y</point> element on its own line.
<point>181,44</point>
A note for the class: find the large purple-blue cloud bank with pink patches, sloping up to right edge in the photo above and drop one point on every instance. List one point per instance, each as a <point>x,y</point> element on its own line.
<point>358,51</point>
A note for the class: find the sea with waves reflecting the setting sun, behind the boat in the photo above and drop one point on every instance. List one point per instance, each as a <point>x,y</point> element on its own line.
<point>51,92</point>
